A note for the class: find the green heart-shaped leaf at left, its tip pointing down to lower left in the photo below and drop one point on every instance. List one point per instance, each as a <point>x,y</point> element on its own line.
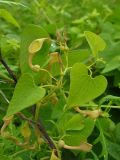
<point>26,94</point>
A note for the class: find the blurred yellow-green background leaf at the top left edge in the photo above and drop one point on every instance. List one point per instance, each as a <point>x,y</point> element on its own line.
<point>8,17</point>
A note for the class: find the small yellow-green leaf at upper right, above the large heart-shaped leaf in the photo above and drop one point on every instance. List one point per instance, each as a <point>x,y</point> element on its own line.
<point>96,42</point>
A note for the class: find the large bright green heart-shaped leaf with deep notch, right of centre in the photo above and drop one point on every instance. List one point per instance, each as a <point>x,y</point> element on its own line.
<point>84,88</point>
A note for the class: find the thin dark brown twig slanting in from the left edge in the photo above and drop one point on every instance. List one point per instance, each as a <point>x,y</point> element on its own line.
<point>8,68</point>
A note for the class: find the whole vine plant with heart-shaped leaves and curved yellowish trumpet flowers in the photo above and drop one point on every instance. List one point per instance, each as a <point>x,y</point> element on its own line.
<point>59,77</point>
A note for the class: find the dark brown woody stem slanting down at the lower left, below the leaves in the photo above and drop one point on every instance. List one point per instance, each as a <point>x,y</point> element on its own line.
<point>43,132</point>
